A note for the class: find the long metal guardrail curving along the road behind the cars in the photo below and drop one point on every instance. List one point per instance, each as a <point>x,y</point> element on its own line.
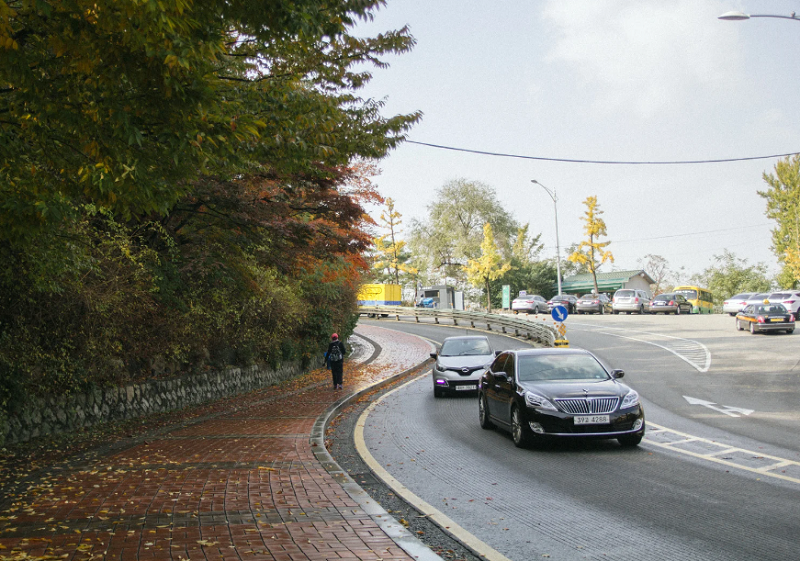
<point>540,332</point>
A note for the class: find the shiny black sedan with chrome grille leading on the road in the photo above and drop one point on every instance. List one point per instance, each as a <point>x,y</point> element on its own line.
<point>541,393</point>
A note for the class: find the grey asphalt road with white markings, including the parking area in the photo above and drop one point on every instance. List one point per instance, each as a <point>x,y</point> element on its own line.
<point>715,480</point>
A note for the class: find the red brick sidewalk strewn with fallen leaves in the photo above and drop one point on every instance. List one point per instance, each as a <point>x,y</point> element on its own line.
<point>243,483</point>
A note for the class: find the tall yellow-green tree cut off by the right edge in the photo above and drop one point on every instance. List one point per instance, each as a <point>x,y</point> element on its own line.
<point>783,206</point>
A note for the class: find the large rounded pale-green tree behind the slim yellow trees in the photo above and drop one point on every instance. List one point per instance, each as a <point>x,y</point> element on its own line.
<point>452,232</point>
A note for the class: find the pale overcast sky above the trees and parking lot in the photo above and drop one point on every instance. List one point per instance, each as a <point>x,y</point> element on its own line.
<point>624,80</point>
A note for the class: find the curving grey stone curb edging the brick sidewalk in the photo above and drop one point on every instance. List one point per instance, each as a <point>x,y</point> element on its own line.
<point>396,531</point>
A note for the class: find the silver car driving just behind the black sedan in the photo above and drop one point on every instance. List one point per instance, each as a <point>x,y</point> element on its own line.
<point>460,364</point>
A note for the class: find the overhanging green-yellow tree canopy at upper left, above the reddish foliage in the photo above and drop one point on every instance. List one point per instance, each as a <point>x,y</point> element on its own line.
<point>123,104</point>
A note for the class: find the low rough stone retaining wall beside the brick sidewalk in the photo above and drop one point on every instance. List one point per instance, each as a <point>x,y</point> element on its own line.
<point>60,414</point>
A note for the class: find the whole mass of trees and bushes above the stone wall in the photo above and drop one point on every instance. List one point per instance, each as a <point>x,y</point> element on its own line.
<point>179,183</point>
